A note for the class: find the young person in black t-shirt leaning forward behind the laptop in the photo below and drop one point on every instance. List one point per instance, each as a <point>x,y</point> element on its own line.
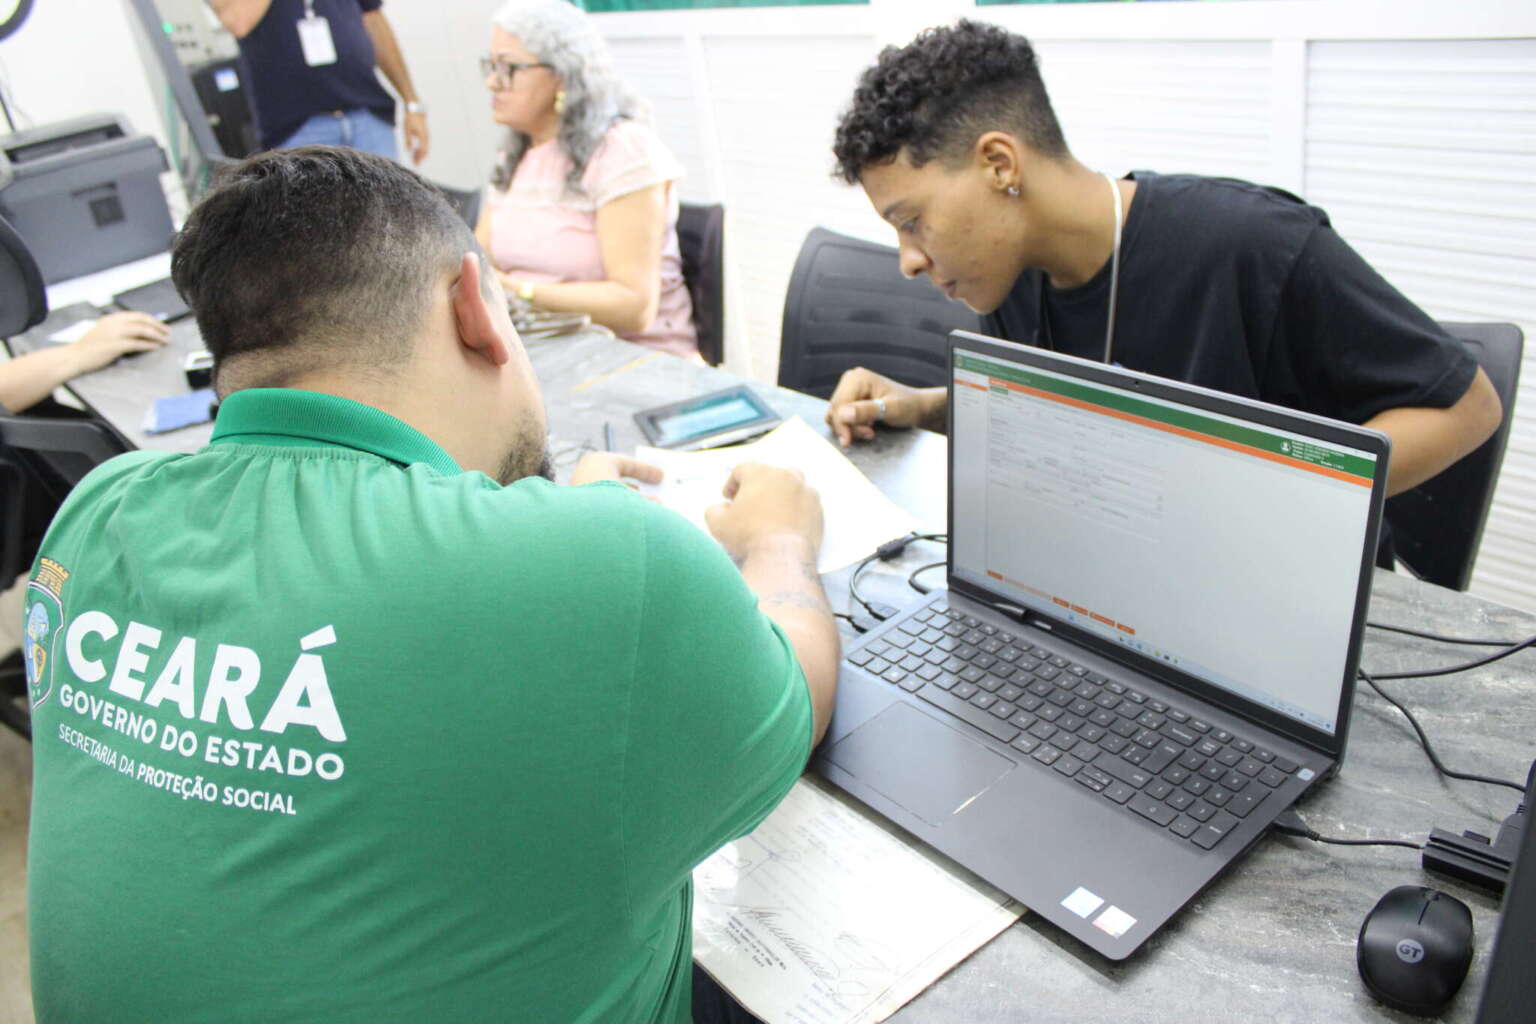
<point>1220,283</point>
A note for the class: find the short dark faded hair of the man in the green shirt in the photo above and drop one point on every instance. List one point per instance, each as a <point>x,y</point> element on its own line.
<point>316,257</point>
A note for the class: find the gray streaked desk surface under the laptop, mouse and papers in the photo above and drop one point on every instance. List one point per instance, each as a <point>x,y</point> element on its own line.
<point>1274,940</point>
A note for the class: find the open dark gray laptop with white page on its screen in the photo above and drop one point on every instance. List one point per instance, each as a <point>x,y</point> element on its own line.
<point>1148,646</point>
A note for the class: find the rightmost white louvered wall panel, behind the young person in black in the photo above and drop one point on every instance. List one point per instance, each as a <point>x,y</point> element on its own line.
<point>1425,154</point>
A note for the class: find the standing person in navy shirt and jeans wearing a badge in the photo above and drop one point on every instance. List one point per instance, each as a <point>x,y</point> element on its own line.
<point>311,70</point>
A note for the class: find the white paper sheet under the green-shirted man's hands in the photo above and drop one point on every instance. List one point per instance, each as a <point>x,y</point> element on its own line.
<point>858,518</point>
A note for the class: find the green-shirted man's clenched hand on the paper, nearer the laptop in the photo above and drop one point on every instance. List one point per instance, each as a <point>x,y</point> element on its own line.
<point>766,503</point>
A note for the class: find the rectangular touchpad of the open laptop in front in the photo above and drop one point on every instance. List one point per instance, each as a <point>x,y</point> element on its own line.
<point>918,762</point>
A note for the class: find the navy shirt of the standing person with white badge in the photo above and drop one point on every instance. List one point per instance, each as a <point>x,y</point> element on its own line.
<point>286,91</point>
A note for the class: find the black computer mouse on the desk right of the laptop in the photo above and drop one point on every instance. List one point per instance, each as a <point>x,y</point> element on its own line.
<point>1415,948</point>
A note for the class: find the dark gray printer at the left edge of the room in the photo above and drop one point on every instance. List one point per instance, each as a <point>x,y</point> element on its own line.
<point>85,194</point>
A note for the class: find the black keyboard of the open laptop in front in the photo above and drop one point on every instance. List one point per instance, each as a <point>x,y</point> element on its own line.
<point>1156,761</point>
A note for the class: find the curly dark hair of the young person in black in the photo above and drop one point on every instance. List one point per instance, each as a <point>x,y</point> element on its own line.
<point>936,96</point>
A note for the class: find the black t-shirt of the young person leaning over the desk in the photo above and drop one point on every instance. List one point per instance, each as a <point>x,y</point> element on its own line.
<point>1246,291</point>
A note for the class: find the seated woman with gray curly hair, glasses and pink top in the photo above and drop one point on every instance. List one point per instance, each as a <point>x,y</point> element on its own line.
<point>583,210</point>
